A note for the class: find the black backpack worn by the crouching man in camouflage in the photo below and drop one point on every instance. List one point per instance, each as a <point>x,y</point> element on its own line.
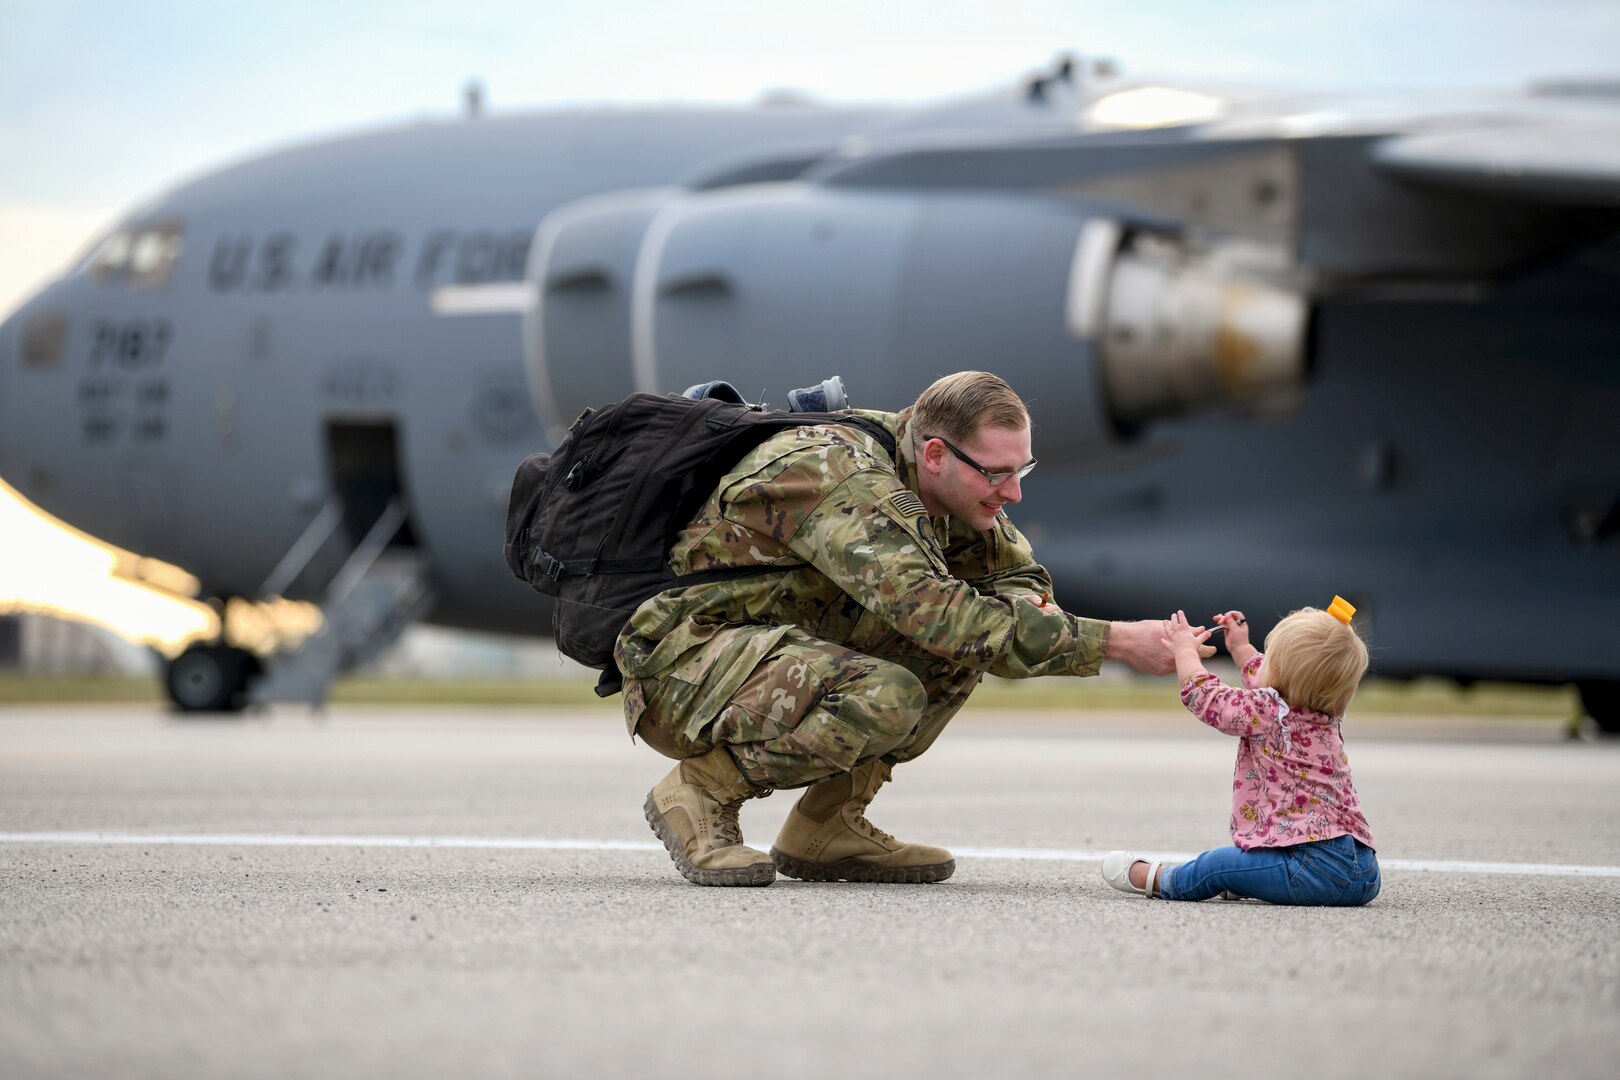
<point>594,522</point>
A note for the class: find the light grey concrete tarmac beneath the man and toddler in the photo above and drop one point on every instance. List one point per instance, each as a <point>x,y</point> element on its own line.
<point>472,893</point>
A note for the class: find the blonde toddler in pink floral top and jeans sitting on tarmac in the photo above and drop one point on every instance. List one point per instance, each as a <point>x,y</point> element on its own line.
<point>1297,825</point>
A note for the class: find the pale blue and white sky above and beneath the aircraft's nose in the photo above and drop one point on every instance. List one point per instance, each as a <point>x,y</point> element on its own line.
<point>109,103</point>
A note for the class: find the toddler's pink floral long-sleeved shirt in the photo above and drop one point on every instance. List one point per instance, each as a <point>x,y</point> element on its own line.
<point>1292,784</point>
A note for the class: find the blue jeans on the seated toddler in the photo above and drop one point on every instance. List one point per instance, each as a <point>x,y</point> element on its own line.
<point>1342,872</point>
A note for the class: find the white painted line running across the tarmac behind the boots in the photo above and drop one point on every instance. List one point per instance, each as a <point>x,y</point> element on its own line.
<point>537,844</point>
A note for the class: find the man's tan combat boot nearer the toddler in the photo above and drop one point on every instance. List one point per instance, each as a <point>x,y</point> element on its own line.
<point>827,836</point>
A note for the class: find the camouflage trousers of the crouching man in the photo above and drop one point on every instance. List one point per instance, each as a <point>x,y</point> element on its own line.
<point>814,710</point>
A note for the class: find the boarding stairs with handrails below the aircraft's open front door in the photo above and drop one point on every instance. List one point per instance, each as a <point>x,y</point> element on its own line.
<point>378,593</point>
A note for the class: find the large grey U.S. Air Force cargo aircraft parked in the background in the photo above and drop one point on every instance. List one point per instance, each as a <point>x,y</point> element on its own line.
<point>1276,349</point>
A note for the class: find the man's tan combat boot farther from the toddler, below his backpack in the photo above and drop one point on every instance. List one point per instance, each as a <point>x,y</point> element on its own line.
<point>694,812</point>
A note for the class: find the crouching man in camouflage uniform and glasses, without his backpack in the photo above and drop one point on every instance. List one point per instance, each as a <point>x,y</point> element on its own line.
<point>887,590</point>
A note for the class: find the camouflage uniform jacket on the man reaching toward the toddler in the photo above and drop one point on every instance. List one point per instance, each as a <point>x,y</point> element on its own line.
<point>863,563</point>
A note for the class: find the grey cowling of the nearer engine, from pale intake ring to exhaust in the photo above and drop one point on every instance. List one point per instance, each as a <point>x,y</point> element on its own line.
<point>778,286</point>
